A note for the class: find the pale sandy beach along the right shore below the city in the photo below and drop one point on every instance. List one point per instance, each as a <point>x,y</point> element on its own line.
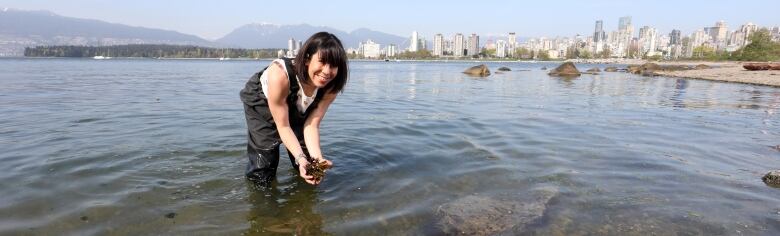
<point>725,71</point>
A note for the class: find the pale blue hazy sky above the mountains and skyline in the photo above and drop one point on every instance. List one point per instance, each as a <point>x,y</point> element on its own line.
<point>214,19</point>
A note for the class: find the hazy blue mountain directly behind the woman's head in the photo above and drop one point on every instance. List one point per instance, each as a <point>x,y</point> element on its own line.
<point>277,36</point>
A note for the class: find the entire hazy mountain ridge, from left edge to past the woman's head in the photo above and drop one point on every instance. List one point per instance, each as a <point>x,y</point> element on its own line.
<point>23,28</point>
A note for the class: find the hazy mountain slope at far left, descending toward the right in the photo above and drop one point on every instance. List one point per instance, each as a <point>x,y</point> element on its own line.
<point>19,29</point>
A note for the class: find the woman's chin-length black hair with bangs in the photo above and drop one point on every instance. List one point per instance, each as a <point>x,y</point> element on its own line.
<point>331,52</point>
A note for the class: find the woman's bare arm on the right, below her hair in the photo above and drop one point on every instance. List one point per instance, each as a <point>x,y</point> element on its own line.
<point>311,129</point>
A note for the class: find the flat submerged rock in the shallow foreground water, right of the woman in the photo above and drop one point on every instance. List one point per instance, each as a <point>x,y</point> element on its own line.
<point>482,215</point>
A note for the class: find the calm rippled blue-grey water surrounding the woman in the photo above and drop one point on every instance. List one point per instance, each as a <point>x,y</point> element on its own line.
<point>135,147</point>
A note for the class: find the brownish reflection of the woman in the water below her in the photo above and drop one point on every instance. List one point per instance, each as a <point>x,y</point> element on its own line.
<point>283,210</point>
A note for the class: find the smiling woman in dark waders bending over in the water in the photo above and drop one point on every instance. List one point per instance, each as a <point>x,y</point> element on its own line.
<point>286,102</point>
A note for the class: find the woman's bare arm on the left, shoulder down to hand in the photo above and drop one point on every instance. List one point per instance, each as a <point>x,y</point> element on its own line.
<point>278,89</point>
